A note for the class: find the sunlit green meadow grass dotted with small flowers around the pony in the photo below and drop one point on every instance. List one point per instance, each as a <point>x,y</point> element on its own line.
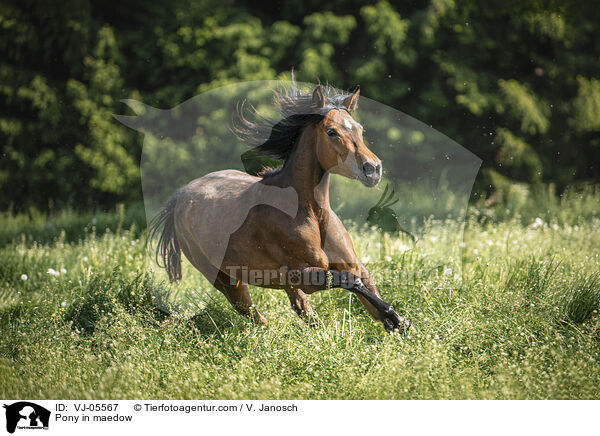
<point>510,314</point>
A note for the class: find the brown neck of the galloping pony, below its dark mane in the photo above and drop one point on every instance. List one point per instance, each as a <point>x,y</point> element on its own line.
<point>304,173</point>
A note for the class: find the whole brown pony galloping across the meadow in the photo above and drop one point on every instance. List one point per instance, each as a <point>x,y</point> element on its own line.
<point>279,231</point>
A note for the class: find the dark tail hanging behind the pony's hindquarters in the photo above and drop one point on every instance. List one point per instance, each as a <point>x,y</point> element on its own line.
<point>168,250</point>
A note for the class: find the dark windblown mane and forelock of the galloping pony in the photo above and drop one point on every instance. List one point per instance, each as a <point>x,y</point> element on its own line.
<point>277,138</point>
